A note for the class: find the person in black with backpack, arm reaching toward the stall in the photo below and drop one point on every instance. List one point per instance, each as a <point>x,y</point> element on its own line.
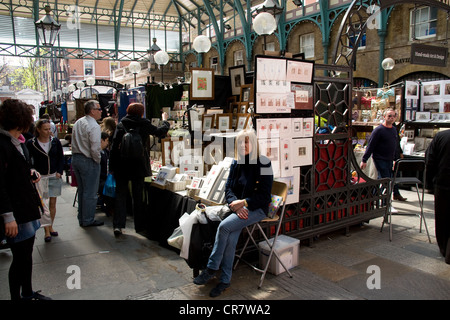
<point>130,161</point>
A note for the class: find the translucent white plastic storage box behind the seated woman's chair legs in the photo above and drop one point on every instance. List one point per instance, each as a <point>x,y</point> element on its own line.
<point>287,249</point>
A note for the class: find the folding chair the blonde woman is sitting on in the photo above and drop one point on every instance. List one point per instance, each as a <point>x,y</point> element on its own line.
<point>280,189</point>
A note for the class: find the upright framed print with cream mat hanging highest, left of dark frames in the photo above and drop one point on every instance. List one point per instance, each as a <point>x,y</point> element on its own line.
<point>202,84</point>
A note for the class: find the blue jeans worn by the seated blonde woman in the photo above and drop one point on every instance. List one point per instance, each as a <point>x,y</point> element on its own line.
<point>227,237</point>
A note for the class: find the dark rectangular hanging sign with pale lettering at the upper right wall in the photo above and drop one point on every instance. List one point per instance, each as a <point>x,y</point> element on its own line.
<point>428,55</point>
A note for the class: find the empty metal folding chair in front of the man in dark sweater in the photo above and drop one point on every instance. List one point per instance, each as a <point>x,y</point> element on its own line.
<point>413,173</point>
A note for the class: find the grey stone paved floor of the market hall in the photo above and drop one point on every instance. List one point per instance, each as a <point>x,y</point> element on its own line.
<point>334,268</point>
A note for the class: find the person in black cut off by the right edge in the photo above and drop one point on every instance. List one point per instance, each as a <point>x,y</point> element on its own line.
<point>437,159</point>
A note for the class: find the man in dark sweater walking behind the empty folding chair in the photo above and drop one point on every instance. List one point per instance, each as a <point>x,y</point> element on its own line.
<point>384,148</point>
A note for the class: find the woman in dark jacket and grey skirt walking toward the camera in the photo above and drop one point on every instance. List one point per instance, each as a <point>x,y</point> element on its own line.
<point>47,158</point>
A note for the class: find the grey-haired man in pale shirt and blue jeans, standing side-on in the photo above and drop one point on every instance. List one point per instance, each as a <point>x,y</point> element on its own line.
<point>86,162</point>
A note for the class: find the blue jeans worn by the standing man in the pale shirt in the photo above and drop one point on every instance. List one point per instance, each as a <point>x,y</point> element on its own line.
<point>87,172</point>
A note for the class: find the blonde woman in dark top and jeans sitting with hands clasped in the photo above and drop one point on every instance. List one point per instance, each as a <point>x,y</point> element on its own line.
<point>248,194</point>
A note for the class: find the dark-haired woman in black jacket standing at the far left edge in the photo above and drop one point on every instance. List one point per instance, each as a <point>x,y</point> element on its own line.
<point>19,201</point>
